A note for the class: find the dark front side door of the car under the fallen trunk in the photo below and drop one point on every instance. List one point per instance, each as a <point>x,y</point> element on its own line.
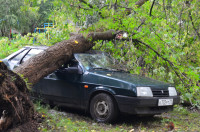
<point>63,86</point>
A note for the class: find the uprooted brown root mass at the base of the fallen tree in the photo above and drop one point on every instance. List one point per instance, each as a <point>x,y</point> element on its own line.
<point>15,104</point>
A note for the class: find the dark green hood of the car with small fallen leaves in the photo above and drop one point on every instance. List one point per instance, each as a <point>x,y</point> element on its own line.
<point>134,79</point>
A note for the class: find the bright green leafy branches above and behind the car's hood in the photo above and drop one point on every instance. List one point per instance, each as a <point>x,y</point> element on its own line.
<point>172,31</point>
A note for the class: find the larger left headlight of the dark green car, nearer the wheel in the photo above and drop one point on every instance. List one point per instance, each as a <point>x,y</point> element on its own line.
<point>144,92</point>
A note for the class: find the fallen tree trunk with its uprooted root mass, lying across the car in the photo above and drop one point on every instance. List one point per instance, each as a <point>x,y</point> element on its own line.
<point>15,103</point>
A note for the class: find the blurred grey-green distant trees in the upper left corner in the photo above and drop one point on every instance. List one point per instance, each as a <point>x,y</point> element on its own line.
<point>23,16</point>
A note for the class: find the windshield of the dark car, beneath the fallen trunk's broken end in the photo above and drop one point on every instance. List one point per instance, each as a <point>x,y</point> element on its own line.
<point>98,61</point>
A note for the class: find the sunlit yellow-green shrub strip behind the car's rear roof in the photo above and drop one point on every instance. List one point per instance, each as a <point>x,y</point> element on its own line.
<point>49,38</point>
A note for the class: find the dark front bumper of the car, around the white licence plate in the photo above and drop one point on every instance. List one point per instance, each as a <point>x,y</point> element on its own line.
<point>144,105</point>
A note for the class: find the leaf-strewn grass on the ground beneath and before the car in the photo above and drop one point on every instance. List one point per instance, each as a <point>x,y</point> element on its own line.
<point>76,121</point>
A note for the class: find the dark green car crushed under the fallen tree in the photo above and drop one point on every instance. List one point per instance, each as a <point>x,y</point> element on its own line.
<point>91,82</point>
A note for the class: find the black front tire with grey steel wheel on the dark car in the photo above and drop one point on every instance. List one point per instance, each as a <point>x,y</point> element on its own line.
<point>103,108</point>
